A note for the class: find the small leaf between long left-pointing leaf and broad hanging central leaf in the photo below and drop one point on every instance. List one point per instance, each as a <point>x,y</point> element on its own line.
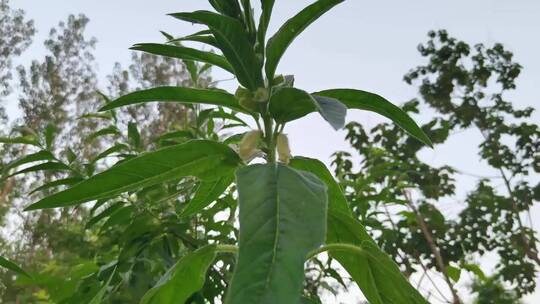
<point>207,192</point>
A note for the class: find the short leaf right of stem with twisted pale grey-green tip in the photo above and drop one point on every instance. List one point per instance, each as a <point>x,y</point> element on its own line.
<point>288,104</point>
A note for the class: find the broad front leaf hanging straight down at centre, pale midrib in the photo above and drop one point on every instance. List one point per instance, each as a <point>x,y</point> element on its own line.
<point>282,217</point>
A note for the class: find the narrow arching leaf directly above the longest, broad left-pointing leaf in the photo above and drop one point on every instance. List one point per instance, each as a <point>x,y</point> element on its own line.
<point>177,94</point>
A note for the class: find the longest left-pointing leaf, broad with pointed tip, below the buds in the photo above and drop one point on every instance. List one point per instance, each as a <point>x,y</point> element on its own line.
<point>206,160</point>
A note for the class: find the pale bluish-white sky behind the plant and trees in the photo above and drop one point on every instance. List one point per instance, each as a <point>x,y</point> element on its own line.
<point>366,45</point>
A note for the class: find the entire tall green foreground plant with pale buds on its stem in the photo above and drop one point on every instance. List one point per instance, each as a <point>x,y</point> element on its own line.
<point>290,209</point>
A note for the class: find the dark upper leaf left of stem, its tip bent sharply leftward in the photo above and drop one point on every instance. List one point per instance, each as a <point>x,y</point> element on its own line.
<point>234,44</point>
